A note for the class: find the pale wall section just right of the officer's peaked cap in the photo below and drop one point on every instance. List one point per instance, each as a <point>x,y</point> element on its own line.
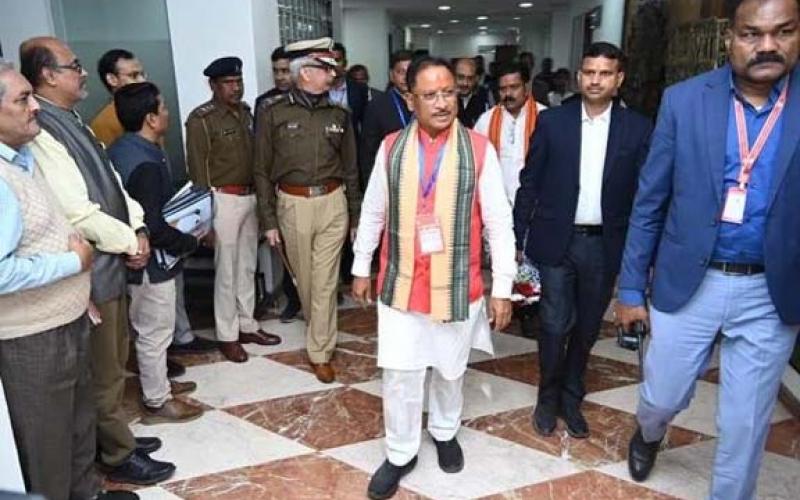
<point>365,34</point>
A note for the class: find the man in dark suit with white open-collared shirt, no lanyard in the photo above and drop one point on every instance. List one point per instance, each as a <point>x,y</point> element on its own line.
<point>571,216</point>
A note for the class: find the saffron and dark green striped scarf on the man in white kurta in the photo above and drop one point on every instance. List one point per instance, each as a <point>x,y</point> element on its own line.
<point>455,193</point>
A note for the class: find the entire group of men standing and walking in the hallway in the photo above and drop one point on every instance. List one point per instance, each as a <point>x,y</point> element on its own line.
<point>449,157</point>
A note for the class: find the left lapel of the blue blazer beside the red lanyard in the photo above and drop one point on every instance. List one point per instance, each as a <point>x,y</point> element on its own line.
<point>716,103</point>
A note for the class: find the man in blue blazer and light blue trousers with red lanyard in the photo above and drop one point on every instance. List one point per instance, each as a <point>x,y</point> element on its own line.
<point>717,217</point>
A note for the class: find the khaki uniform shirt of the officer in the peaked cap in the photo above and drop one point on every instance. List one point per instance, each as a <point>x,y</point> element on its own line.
<point>303,144</point>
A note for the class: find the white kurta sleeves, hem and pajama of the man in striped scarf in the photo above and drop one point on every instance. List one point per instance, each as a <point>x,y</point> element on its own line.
<point>410,342</point>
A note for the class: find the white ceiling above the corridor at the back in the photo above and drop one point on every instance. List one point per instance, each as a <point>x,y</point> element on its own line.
<point>501,13</point>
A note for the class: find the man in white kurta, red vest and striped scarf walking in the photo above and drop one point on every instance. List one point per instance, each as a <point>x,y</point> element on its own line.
<point>417,170</point>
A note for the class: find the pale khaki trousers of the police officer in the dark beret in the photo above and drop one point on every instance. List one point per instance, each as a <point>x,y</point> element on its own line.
<point>235,248</point>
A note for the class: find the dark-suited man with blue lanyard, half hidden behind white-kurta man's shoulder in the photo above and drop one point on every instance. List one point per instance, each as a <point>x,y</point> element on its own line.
<point>386,113</point>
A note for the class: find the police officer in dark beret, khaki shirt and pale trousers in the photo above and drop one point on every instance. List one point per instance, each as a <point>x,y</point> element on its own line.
<point>219,156</point>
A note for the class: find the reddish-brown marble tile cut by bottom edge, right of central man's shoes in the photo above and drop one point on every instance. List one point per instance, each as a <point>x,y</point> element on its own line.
<point>583,485</point>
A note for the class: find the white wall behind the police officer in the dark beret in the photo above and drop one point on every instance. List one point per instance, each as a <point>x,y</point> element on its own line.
<point>203,30</point>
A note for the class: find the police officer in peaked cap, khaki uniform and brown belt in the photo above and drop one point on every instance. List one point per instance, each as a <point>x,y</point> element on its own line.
<point>307,183</point>
